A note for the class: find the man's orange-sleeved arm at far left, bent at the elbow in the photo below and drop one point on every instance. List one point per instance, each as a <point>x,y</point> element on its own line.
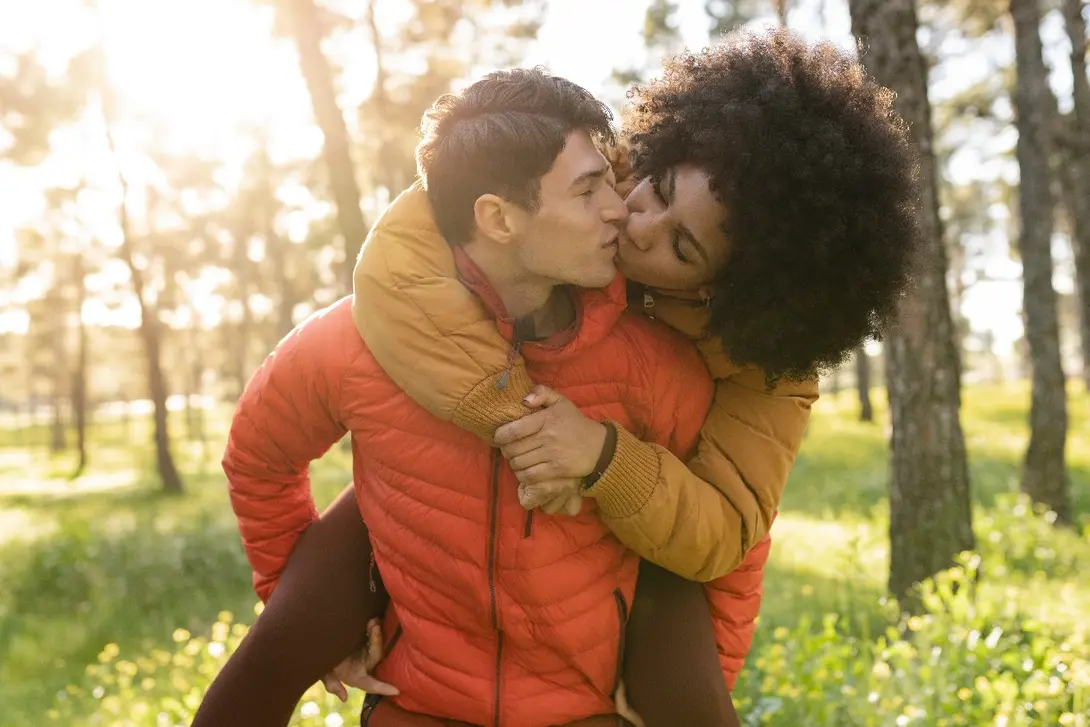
<point>288,416</point>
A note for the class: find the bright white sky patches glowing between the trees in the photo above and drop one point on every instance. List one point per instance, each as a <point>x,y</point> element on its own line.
<point>202,75</point>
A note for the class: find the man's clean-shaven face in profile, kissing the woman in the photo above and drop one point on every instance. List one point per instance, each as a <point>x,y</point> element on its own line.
<point>573,238</point>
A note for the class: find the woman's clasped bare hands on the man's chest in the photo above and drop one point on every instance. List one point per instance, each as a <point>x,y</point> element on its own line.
<point>552,451</point>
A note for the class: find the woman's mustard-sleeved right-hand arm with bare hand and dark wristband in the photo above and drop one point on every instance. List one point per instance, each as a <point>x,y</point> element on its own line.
<point>698,520</point>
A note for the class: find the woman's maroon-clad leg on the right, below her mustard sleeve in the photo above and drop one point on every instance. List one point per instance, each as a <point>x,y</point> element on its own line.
<point>672,667</point>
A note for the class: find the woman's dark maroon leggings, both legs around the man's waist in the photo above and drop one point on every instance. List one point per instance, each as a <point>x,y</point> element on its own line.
<point>319,613</point>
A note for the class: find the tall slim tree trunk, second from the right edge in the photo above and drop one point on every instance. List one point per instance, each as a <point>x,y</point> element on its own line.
<point>1045,474</point>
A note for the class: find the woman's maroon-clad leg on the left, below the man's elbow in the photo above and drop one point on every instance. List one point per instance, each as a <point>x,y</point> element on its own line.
<point>317,617</point>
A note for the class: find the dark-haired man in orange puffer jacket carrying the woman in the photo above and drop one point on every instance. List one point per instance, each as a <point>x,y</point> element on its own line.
<point>498,619</point>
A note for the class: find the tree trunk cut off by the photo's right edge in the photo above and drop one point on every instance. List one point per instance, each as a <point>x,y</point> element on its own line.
<point>1076,163</point>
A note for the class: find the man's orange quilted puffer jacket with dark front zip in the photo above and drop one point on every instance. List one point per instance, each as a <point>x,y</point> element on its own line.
<point>502,616</point>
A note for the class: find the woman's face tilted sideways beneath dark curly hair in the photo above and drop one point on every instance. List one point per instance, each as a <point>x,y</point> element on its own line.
<point>674,237</point>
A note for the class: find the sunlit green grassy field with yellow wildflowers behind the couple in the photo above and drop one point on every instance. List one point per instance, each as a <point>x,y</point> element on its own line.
<point>118,604</point>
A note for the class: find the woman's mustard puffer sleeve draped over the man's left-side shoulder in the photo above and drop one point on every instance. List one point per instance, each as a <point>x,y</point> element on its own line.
<point>430,334</point>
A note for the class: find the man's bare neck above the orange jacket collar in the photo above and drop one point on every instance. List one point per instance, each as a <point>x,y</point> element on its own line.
<point>550,307</point>
